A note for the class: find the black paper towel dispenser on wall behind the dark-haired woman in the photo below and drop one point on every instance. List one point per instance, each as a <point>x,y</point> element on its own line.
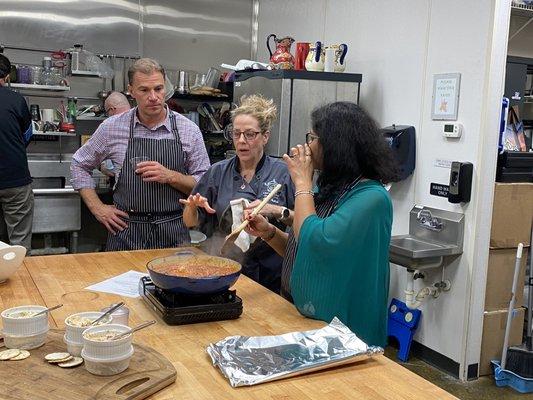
<point>402,141</point>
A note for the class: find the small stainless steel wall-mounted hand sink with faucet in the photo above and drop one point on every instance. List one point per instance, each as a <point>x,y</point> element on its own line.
<point>433,235</point>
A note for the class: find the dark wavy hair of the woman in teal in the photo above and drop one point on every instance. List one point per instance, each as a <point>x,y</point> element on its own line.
<point>352,145</point>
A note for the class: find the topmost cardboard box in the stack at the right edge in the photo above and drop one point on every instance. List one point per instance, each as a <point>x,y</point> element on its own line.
<point>512,214</point>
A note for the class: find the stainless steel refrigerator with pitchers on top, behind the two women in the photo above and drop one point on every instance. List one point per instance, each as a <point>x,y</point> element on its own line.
<point>296,94</point>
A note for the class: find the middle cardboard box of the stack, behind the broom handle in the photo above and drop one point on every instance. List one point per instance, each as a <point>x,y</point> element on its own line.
<point>500,273</point>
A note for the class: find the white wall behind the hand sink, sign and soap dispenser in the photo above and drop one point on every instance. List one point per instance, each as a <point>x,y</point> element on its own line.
<point>398,47</point>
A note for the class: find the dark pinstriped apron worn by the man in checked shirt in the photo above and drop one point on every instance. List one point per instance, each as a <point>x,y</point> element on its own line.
<point>155,214</point>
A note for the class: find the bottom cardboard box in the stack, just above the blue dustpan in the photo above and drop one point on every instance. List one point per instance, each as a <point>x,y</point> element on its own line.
<point>493,335</point>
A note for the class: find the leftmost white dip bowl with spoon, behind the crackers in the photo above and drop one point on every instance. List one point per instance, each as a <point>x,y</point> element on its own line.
<point>22,330</point>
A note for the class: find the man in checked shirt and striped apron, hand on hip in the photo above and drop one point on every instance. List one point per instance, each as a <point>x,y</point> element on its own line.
<point>159,156</point>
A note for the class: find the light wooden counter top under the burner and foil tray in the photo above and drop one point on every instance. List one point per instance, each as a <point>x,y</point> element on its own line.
<point>51,280</point>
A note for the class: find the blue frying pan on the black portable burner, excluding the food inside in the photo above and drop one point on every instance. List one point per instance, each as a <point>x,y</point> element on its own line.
<point>186,285</point>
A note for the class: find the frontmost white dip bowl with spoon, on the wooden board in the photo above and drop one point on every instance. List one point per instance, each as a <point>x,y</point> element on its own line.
<point>104,356</point>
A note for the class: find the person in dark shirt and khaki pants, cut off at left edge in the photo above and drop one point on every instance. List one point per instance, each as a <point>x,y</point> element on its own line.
<point>16,196</point>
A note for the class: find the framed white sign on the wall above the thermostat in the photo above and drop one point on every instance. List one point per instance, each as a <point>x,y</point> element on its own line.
<point>445,96</point>
